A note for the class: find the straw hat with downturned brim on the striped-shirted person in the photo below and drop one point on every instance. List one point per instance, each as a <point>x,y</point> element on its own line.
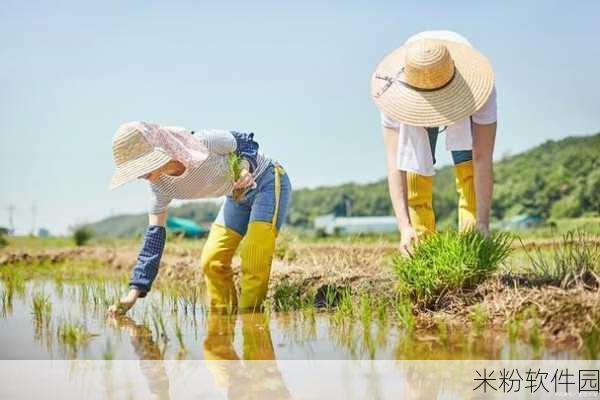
<point>134,156</point>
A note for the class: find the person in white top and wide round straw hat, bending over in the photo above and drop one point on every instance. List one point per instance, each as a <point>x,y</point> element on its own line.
<point>436,82</point>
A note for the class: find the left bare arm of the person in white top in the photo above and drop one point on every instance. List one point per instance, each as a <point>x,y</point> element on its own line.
<point>398,190</point>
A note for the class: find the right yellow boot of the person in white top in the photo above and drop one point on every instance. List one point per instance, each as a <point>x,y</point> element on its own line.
<point>465,186</point>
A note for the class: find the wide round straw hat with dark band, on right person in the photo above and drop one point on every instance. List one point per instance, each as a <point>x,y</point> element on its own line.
<point>432,82</point>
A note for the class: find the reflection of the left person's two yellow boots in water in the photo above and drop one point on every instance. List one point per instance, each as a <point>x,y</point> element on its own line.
<point>256,378</point>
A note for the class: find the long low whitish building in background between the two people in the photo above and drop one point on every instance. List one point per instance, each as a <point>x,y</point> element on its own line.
<point>330,224</point>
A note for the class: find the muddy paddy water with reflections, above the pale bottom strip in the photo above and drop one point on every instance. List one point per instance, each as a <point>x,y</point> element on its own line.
<point>165,326</point>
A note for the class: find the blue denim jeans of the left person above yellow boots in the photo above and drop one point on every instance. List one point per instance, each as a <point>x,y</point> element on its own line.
<point>258,204</point>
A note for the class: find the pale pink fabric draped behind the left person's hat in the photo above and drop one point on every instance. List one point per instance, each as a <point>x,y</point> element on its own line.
<point>177,142</point>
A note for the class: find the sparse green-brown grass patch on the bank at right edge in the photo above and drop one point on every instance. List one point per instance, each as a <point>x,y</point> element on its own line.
<point>575,260</point>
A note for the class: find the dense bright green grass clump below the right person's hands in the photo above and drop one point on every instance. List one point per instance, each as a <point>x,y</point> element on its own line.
<point>449,261</point>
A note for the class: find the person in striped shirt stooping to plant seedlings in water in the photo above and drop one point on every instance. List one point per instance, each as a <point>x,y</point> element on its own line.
<point>180,164</point>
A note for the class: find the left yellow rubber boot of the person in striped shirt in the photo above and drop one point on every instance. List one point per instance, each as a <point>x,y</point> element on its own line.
<point>216,266</point>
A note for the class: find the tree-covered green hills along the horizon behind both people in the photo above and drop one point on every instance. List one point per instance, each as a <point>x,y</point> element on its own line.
<point>556,179</point>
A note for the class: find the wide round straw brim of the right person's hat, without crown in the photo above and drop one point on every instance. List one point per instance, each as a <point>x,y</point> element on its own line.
<point>466,93</point>
